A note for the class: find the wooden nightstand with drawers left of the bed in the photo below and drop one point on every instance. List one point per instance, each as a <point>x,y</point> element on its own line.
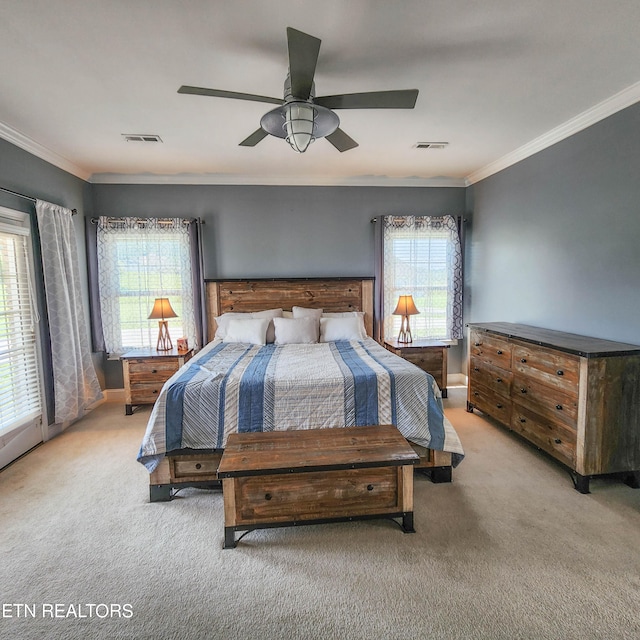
<point>146,370</point>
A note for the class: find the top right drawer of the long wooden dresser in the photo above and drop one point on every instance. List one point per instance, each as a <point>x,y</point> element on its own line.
<point>558,370</point>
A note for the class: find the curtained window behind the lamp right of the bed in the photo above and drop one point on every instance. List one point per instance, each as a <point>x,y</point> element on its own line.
<point>422,257</point>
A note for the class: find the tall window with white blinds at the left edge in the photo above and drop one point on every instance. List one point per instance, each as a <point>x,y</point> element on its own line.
<point>20,383</point>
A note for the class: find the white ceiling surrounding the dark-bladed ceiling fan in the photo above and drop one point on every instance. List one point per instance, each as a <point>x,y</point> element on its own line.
<point>498,80</point>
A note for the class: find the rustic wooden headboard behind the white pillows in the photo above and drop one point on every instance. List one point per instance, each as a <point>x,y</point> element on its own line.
<point>331,294</point>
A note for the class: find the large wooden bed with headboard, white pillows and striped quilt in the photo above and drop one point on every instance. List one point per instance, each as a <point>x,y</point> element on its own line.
<point>236,383</point>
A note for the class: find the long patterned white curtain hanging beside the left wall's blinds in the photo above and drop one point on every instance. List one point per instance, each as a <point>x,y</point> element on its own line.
<point>75,382</point>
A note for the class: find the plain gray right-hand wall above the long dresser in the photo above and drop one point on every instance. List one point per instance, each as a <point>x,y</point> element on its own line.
<point>555,240</point>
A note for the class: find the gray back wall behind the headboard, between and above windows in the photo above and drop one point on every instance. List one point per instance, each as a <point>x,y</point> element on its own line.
<point>272,231</point>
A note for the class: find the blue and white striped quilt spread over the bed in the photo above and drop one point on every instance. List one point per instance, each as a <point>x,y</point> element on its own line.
<point>235,387</point>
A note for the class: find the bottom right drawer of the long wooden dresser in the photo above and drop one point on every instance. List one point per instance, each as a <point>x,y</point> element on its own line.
<point>555,438</point>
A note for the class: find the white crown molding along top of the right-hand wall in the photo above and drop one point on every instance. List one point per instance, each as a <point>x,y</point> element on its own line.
<point>602,110</point>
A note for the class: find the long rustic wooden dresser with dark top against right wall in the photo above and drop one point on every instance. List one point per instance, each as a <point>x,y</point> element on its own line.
<point>577,398</point>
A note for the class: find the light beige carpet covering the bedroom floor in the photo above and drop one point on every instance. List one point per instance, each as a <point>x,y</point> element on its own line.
<point>508,550</point>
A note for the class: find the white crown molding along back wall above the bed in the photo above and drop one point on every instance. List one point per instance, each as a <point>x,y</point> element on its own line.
<point>289,181</point>
